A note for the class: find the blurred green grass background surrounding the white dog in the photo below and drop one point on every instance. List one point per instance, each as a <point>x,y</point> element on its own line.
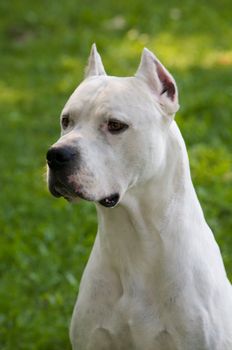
<point>44,45</point>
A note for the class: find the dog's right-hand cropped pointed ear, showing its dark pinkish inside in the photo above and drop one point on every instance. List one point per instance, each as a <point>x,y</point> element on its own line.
<point>160,81</point>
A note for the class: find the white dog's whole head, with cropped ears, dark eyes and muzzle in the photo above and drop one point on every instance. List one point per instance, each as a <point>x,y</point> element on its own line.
<point>112,132</point>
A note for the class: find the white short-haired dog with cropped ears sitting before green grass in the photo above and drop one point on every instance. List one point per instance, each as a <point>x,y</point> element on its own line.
<point>155,279</point>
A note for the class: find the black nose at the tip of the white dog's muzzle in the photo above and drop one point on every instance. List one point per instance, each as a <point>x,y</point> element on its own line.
<point>59,157</point>
